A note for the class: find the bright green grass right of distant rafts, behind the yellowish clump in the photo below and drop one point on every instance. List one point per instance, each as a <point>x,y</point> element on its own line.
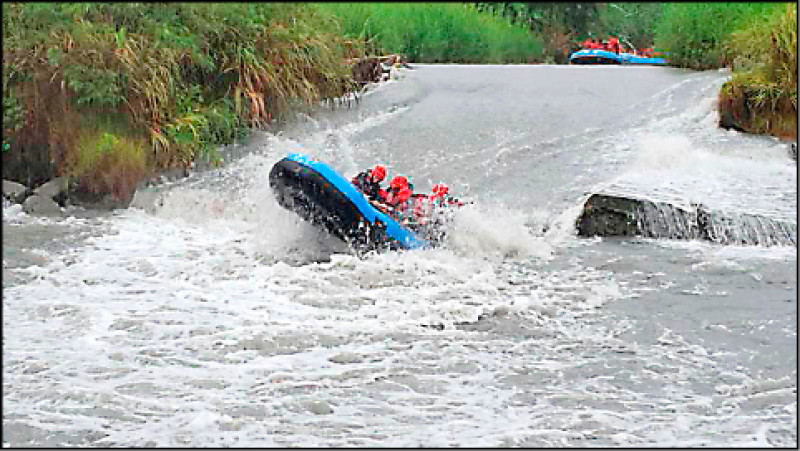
<point>694,34</point>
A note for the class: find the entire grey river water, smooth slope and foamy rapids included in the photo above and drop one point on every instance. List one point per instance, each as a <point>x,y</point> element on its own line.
<point>207,315</point>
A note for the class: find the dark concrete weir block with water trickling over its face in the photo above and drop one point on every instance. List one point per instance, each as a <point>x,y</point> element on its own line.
<point>608,215</point>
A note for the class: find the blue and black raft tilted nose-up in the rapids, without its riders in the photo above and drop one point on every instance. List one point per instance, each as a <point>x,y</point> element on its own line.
<point>318,194</point>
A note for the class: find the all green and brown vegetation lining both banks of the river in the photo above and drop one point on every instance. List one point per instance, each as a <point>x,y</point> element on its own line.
<point>107,93</point>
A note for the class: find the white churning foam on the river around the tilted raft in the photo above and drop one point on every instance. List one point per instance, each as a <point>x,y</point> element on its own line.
<point>216,318</point>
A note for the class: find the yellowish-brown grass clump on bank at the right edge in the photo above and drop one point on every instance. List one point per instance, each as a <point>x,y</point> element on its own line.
<point>761,96</point>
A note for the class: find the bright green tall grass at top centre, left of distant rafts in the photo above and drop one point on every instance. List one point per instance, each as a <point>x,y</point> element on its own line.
<point>436,32</point>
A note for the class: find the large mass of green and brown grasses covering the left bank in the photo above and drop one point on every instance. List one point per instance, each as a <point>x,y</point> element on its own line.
<point>178,78</point>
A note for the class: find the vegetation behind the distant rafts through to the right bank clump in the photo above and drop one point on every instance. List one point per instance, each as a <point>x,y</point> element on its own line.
<point>758,40</point>
